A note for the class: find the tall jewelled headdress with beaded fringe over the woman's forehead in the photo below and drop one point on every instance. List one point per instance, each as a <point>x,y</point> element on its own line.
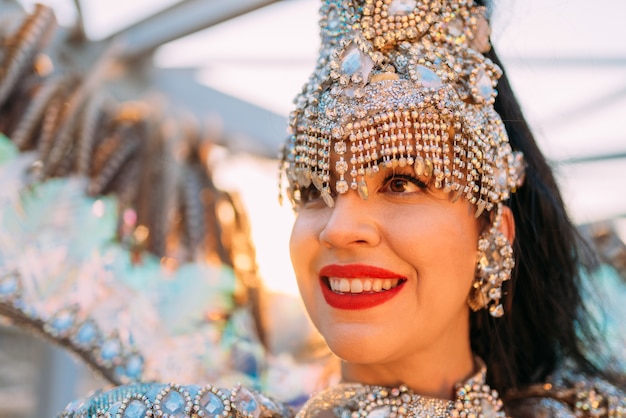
<point>397,83</point>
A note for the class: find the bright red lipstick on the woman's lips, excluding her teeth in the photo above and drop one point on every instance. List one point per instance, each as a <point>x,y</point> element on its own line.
<point>357,301</point>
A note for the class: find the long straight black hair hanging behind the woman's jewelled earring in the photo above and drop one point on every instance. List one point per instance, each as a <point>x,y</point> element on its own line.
<point>545,320</point>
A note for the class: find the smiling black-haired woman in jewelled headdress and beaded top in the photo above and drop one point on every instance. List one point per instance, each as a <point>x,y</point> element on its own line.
<point>401,163</point>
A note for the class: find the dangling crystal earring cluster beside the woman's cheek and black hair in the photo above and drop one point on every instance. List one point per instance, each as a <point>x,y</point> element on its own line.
<point>494,265</point>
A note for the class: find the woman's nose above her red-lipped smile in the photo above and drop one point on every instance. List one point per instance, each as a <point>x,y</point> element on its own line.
<point>351,222</point>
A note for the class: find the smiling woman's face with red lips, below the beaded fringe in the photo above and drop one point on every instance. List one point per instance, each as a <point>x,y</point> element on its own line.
<point>388,277</point>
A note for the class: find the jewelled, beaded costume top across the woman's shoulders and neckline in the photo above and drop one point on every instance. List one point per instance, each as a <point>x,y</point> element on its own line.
<point>566,394</point>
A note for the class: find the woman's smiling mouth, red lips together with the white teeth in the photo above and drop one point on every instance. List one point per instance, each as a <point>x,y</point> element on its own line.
<point>358,286</point>
